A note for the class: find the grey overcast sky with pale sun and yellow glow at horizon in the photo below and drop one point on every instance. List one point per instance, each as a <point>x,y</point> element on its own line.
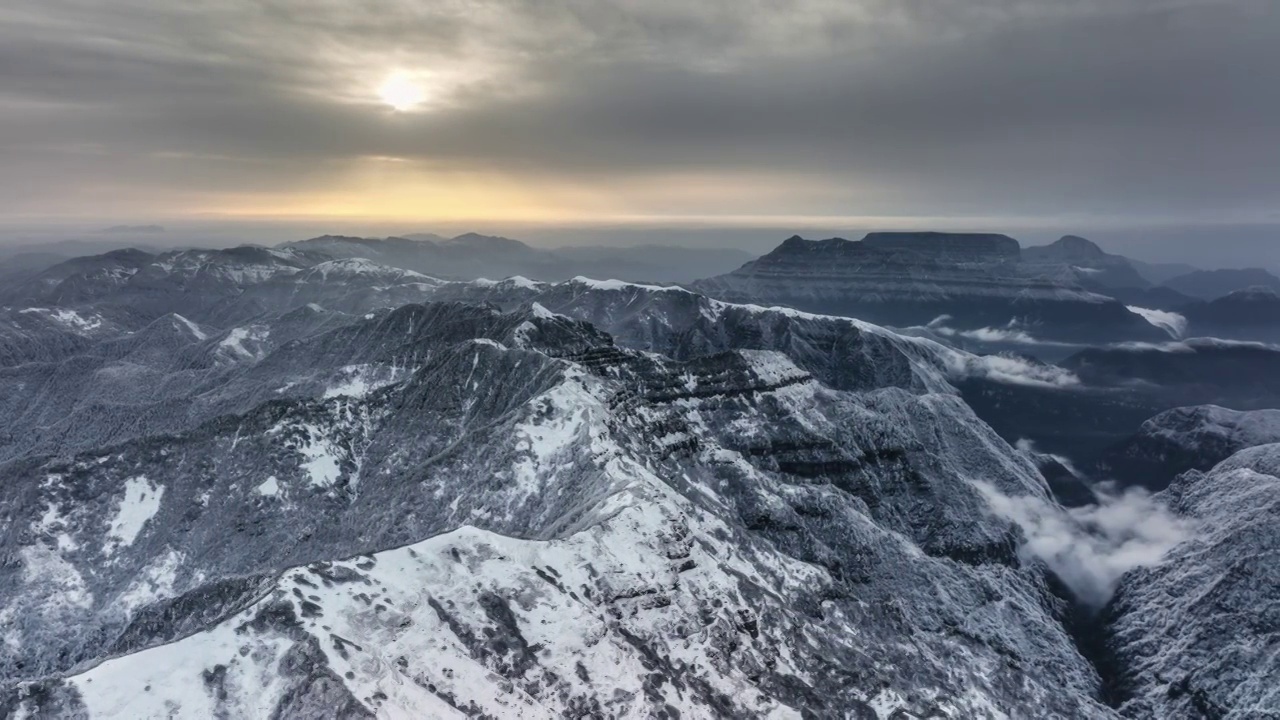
<point>1007,113</point>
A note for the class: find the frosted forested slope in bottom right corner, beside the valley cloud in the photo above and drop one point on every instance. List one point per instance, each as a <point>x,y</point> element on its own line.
<point>1199,636</point>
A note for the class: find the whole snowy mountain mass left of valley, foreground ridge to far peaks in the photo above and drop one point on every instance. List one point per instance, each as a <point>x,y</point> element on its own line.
<point>282,484</point>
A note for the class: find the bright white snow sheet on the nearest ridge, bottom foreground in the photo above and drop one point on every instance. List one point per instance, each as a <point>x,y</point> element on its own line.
<point>399,673</point>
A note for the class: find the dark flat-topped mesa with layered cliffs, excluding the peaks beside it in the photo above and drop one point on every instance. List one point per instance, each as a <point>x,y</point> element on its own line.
<point>977,281</point>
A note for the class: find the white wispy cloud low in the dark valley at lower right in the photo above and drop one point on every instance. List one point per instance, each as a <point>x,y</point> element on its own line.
<point>1091,549</point>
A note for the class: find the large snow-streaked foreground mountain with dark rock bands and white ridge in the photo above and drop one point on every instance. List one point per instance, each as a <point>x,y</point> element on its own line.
<point>724,536</point>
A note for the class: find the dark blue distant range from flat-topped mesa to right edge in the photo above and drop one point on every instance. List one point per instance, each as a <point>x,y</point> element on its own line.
<point>988,291</point>
